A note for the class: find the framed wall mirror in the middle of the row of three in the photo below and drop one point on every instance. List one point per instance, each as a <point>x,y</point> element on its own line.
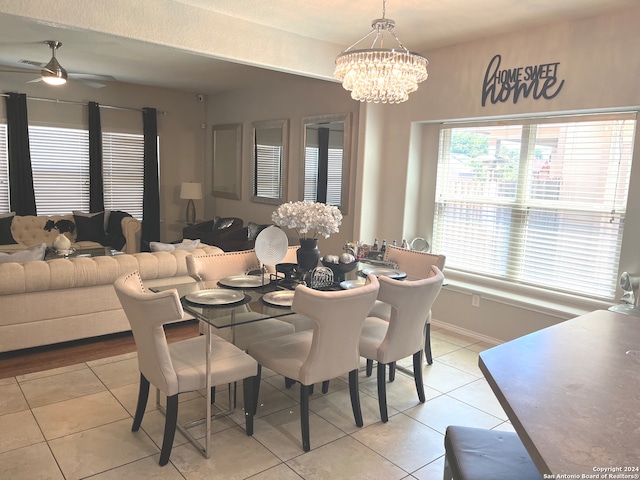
<point>270,141</point>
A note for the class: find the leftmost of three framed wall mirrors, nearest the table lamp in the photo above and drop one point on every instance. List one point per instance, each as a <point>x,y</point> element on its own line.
<point>227,161</point>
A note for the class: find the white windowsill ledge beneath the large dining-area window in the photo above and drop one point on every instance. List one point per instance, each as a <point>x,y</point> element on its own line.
<point>558,305</point>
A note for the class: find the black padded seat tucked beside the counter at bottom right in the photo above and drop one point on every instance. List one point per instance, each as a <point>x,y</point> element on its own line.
<point>479,454</point>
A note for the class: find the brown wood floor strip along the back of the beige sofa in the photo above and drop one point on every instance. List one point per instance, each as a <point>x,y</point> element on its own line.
<point>31,360</point>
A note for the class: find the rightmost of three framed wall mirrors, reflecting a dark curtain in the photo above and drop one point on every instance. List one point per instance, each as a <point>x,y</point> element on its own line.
<point>326,152</point>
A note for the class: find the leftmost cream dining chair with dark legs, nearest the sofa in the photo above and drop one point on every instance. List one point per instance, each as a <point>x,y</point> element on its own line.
<point>178,367</point>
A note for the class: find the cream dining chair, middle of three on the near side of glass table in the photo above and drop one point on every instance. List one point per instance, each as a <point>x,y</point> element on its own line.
<point>327,351</point>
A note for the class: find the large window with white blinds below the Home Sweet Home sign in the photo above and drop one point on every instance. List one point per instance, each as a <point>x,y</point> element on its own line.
<point>539,203</point>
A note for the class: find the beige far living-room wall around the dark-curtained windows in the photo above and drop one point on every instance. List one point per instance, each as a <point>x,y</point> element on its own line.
<point>181,136</point>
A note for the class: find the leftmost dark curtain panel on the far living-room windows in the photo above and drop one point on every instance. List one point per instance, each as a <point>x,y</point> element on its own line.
<point>23,200</point>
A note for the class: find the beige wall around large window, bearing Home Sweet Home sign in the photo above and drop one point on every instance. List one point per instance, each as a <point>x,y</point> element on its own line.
<point>600,63</point>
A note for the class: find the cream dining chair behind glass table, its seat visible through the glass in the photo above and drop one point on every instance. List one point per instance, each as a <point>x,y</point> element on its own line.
<point>214,267</point>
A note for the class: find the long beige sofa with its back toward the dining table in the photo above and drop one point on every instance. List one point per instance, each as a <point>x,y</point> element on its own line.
<point>45,302</point>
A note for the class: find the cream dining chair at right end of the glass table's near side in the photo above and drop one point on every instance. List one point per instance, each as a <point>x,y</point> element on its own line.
<point>387,341</point>
